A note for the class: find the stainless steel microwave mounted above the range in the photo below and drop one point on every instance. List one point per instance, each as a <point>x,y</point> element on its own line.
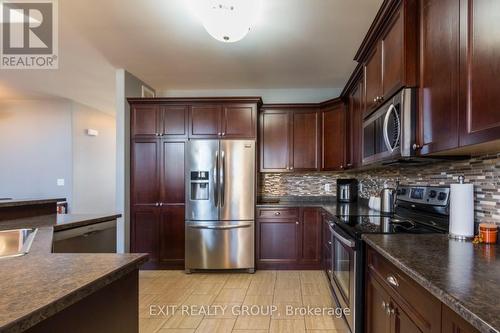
<point>389,134</point>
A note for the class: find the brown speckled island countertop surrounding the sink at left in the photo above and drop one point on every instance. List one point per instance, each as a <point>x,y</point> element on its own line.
<point>41,284</point>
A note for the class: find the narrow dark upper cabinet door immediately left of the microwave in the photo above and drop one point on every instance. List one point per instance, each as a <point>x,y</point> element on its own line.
<point>355,127</point>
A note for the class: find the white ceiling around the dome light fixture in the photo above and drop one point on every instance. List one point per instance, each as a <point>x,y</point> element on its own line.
<point>295,44</point>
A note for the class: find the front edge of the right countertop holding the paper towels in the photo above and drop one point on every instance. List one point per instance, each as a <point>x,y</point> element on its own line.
<point>443,296</point>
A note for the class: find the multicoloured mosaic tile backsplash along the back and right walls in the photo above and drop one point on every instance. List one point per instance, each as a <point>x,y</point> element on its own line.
<point>483,172</point>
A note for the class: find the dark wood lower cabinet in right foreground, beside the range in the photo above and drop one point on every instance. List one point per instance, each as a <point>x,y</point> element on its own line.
<point>403,306</point>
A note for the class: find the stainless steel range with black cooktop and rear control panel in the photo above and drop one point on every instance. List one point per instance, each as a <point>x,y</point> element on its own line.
<point>419,210</point>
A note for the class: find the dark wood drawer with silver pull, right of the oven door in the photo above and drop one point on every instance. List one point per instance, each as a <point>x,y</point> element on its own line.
<point>412,298</point>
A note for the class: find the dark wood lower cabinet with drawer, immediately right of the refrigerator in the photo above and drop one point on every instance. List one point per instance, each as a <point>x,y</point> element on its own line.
<point>289,243</point>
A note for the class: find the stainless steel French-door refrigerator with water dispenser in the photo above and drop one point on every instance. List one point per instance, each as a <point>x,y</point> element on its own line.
<point>220,204</point>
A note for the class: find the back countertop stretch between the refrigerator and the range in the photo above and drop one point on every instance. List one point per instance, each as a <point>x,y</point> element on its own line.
<point>328,203</point>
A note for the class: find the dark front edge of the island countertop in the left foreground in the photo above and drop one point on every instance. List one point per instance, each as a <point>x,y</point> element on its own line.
<point>23,323</point>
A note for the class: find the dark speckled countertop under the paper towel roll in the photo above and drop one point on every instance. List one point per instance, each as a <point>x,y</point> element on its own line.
<point>464,276</point>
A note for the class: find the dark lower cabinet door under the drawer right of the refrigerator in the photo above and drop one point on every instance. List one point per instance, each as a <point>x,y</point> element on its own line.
<point>278,241</point>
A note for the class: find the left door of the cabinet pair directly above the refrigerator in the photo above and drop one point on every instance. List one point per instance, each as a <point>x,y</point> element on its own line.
<point>205,121</point>
